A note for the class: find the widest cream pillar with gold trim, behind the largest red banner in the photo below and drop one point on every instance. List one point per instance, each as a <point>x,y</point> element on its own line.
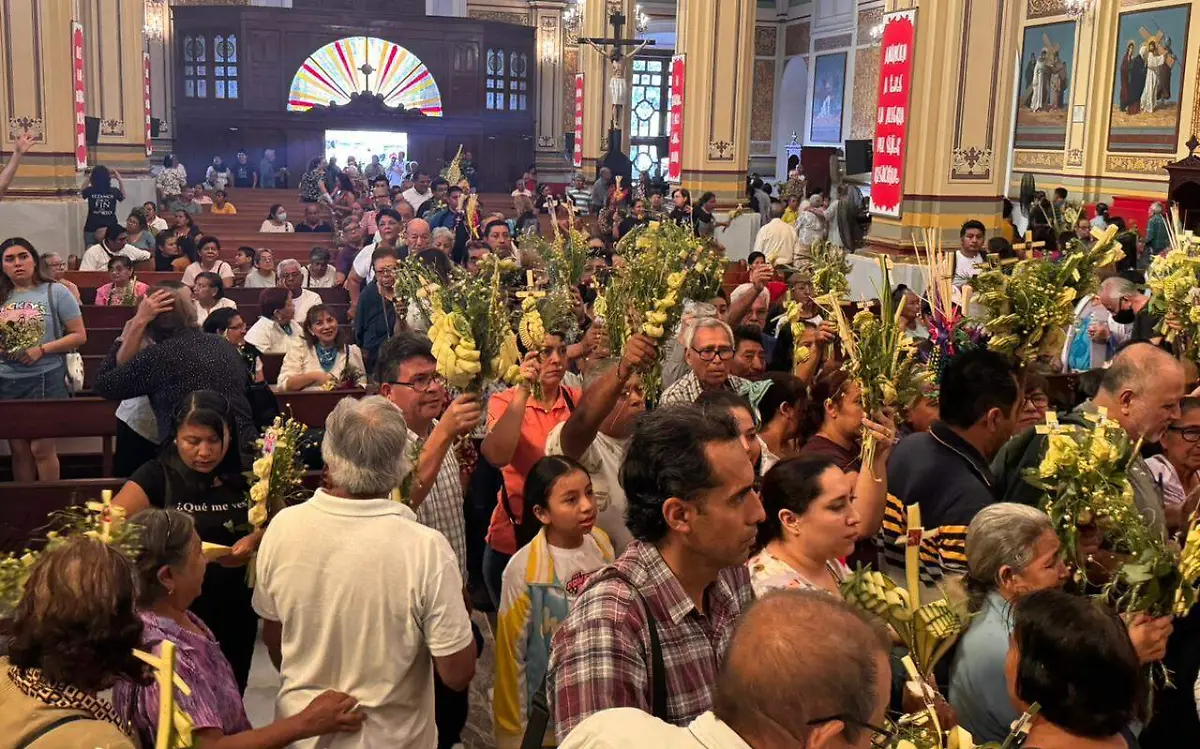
<point>959,119</point>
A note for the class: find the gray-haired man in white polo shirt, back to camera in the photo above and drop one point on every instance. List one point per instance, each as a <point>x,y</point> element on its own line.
<point>357,596</point>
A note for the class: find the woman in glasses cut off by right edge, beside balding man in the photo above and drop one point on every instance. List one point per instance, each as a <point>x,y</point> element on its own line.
<point>1177,470</point>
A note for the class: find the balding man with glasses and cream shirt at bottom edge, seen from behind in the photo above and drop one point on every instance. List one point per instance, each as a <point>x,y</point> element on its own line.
<point>803,670</point>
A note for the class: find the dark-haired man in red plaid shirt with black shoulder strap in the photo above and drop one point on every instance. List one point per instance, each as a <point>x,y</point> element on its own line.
<point>693,510</point>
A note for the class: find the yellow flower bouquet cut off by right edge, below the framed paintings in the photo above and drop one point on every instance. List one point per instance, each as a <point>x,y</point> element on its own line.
<point>1174,281</point>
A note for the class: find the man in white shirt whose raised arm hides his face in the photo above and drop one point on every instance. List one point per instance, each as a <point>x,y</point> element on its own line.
<point>598,433</point>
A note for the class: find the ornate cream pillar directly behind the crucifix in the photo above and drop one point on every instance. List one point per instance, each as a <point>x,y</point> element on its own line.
<point>597,74</point>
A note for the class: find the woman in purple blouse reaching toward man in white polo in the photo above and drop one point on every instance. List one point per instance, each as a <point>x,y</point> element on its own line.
<point>171,570</point>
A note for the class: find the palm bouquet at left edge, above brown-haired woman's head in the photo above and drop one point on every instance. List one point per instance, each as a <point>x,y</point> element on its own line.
<point>100,520</point>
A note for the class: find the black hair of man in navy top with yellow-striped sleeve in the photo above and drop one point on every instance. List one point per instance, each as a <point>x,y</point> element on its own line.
<point>974,384</point>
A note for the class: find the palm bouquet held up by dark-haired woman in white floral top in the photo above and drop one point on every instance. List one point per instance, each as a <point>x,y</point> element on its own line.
<point>881,359</point>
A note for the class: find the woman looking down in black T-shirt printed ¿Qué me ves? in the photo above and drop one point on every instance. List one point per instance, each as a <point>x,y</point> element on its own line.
<point>200,472</point>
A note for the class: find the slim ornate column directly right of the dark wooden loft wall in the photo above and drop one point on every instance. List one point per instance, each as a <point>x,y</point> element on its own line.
<point>548,21</point>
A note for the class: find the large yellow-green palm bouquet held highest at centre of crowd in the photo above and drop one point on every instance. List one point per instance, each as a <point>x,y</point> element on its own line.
<point>665,265</point>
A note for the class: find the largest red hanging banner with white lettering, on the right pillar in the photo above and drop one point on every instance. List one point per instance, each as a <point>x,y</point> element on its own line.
<point>892,115</point>
